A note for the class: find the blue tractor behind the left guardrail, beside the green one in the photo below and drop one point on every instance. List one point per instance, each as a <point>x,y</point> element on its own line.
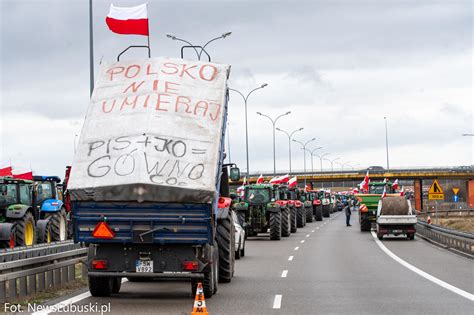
<point>51,209</point>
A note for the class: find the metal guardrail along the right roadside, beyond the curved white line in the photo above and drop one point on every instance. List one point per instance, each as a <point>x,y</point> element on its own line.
<point>460,242</point>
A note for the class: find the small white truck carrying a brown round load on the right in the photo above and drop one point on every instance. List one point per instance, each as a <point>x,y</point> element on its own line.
<point>395,216</point>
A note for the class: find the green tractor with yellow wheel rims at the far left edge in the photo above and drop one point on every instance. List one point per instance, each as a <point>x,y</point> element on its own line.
<point>19,224</point>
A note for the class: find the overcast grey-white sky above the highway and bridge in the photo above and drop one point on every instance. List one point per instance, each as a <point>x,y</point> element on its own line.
<point>338,66</point>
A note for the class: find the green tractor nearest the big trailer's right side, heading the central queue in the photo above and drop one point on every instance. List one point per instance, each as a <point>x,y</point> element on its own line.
<point>263,207</point>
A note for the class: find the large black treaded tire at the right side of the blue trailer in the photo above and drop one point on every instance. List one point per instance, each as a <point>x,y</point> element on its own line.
<point>226,243</point>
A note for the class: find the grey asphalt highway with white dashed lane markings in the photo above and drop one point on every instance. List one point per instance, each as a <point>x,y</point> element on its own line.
<point>325,268</point>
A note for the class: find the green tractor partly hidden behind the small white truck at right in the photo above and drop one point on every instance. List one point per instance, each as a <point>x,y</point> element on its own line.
<point>369,203</point>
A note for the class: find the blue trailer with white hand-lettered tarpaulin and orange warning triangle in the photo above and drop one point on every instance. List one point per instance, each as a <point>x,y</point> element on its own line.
<point>148,188</point>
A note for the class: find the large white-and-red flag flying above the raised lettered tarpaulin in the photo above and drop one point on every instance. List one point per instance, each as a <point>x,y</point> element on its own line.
<point>128,20</point>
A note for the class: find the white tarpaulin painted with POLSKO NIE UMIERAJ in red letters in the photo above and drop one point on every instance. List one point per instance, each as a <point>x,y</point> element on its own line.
<point>152,132</point>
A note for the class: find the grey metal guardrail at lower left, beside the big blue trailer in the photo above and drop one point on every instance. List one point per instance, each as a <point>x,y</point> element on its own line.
<point>26,271</point>
